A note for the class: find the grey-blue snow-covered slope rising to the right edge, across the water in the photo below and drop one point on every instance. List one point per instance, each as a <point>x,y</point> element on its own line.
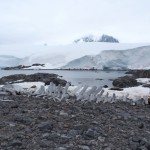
<point>137,58</point>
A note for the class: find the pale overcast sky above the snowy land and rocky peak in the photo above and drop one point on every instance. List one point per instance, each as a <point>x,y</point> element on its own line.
<point>35,22</point>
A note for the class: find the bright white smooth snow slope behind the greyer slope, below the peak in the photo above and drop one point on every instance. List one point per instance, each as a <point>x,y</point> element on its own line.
<point>58,56</point>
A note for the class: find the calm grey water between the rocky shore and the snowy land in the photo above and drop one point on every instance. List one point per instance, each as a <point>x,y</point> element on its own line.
<point>90,78</point>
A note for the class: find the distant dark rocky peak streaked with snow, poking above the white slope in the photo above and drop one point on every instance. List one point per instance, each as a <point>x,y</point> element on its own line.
<point>92,38</point>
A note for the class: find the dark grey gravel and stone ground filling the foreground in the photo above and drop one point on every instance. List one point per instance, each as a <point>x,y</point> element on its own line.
<point>29,123</point>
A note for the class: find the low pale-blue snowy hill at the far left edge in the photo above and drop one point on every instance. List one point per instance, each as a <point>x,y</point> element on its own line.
<point>7,61</point>
